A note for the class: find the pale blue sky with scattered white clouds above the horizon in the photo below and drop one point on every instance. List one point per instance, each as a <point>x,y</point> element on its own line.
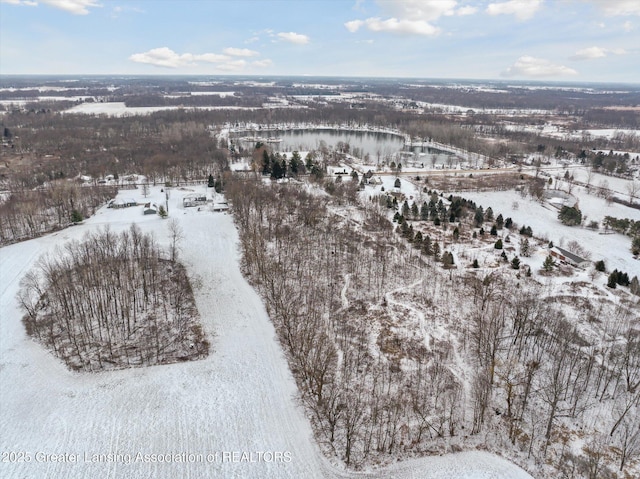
<point>564,40</point>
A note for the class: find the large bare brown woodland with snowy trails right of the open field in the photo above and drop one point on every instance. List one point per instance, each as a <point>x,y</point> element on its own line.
<point>346,296</point>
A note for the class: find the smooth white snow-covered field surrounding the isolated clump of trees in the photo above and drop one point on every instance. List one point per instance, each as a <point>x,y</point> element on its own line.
<point>232,415</point>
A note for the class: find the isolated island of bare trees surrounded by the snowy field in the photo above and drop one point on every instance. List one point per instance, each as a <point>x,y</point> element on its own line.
<point>110,301</point>
